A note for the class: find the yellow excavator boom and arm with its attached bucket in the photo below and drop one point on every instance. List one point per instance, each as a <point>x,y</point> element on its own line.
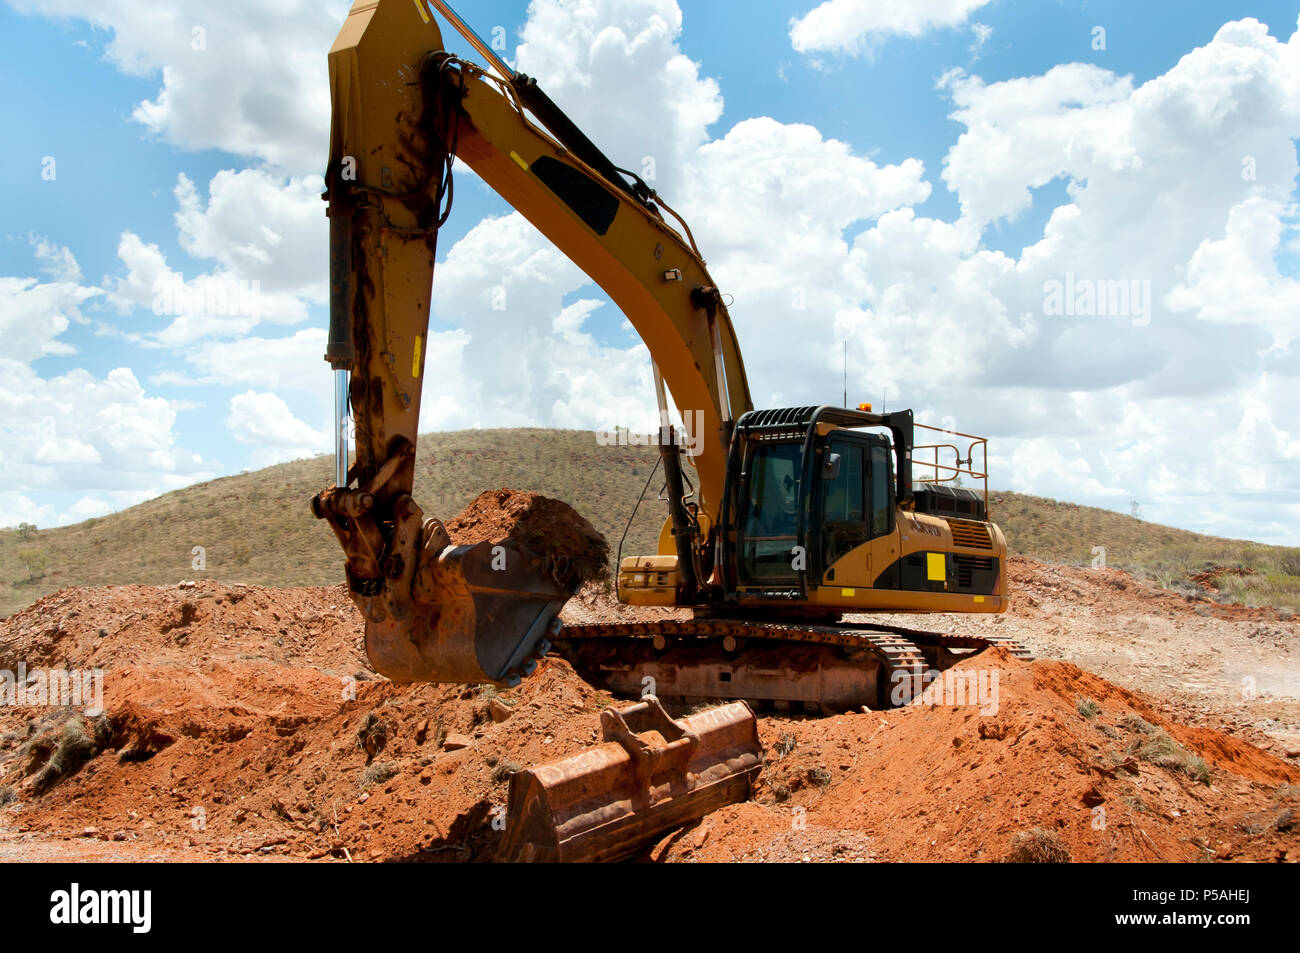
<point>404,110</point>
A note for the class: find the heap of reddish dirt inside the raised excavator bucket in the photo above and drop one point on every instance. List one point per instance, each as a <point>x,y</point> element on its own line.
<point>574,549</point>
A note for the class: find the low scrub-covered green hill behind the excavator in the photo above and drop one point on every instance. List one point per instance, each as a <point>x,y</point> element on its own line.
<point>257,527</point>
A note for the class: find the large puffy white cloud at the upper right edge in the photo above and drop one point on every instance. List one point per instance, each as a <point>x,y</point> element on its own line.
<point>1184,136</point>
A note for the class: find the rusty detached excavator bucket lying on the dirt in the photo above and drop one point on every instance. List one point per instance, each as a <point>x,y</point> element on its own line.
<point>651,776</point>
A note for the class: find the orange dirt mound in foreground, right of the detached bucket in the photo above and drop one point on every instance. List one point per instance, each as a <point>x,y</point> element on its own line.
<point>1068,763</point>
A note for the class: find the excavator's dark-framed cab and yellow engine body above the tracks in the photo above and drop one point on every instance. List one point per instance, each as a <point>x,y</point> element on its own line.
<point>822,516</point>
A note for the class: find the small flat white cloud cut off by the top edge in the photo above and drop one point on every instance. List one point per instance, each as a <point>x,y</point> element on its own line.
<point>848,27</point>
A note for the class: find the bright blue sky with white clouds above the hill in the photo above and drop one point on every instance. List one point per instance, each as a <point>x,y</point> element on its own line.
<point>1089,413</point>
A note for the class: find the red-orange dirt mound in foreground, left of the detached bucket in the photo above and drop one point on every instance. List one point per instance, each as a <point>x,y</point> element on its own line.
<point>257,761</point>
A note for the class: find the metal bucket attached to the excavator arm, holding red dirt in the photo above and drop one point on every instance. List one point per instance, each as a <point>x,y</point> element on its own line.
<point>480,614</point>
